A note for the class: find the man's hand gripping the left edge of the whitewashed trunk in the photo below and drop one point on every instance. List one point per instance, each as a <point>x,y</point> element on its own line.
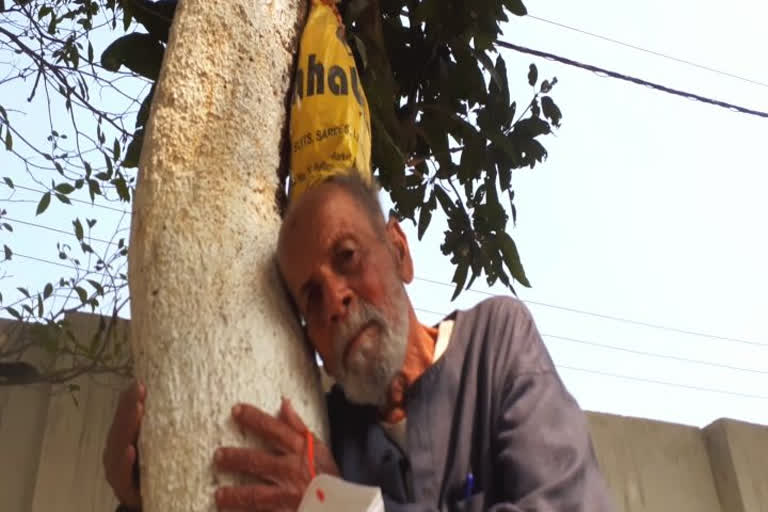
<point>120,453</point>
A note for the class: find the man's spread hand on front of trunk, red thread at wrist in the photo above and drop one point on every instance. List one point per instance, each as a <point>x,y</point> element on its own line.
<point>283,470</point>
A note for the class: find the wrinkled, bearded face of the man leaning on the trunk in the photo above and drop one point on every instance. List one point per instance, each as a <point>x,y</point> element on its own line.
<point>346,278</point>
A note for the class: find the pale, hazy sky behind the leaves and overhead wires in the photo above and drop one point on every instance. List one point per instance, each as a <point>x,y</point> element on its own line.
<point>649,208</point>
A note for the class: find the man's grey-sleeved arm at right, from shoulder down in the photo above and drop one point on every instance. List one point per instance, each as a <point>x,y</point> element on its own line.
<point>543,449</point>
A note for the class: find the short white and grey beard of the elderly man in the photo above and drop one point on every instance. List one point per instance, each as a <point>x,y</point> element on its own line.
<point>379,355</point>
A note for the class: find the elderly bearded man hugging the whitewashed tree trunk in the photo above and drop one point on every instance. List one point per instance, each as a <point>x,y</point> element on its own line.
<point>469,414</point>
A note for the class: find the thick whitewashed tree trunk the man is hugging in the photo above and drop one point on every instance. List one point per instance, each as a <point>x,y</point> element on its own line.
<point>210,326</point>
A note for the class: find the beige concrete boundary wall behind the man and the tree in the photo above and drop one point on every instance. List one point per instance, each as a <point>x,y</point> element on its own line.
<point>50,454</point>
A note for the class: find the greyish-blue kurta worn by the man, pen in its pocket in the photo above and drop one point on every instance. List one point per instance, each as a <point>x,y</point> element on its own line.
<point>492,406</point>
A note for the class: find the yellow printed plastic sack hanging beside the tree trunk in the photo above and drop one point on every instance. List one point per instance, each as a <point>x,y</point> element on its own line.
<point>330,126</point>
